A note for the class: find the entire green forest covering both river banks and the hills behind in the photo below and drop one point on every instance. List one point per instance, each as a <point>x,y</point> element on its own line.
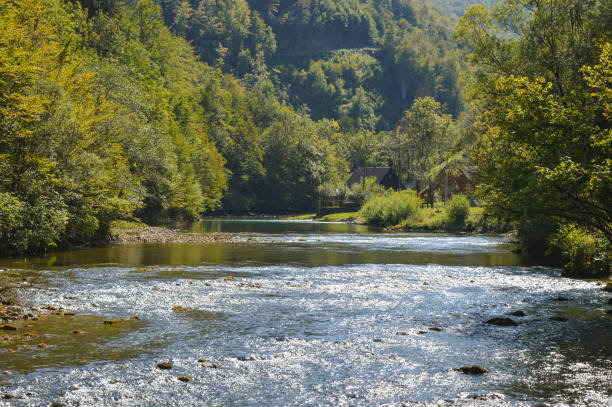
<point>171,109</point>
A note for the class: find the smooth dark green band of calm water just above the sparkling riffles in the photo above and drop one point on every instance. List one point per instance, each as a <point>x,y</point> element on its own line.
<point>236,254</point>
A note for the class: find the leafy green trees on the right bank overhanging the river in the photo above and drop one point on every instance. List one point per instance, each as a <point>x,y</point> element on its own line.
<point>541,90</point>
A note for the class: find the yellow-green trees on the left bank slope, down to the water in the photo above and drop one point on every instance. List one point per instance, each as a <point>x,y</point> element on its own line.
<point>107,115</point>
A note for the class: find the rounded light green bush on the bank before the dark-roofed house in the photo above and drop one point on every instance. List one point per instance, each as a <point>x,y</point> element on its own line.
<point>391,208</point>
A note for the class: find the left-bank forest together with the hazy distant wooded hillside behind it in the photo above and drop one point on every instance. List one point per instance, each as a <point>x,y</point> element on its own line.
<point>117,109</point>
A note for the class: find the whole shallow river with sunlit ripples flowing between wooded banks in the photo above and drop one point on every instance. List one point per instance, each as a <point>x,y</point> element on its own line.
<point>308,314</point>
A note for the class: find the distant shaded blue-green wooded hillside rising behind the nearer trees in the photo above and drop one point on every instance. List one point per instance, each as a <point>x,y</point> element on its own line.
<point>361,62</point>
